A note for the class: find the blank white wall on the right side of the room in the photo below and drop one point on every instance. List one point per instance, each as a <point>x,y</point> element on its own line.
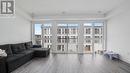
<point>118,33</point>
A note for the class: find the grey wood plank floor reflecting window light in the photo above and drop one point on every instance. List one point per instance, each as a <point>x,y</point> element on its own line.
<point>73,63</point>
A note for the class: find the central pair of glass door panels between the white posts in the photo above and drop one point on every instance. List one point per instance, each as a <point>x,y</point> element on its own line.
<point>67,38</point>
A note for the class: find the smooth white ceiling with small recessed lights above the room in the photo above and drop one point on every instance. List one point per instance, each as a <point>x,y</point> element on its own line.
<point>68,7</point>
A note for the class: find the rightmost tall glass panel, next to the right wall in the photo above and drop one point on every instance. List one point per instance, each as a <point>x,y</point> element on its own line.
<point>98,37</point>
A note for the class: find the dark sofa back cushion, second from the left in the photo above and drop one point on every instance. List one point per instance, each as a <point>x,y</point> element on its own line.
<point>16,48</point>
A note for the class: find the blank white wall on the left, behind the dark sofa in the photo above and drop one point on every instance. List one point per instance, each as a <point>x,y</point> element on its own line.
<point>15,29</point>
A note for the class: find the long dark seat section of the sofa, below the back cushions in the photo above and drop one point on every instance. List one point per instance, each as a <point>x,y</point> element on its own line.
<point>15,61</point>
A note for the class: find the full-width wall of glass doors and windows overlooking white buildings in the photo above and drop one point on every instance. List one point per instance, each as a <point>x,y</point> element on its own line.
<point>70,36</point>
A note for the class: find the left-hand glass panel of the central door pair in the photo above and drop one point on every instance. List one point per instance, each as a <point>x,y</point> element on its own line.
<point>62,38</point>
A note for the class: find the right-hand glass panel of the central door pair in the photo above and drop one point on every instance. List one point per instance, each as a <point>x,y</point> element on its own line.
<point>72,38</point>
